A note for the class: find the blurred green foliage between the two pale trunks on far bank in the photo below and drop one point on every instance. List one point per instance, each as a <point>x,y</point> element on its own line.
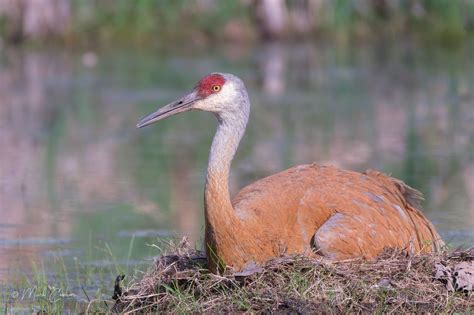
<point>146,20</point>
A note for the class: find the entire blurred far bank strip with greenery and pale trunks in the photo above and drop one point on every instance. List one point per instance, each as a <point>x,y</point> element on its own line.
<point>100,22</point>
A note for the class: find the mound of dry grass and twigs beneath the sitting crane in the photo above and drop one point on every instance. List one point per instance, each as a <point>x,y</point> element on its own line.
<point>394,282</point>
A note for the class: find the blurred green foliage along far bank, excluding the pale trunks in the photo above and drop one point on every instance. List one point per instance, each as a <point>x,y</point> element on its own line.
<point>153,21</point>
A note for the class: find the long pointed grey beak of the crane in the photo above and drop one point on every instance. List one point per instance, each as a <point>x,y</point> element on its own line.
<point>180,105</point>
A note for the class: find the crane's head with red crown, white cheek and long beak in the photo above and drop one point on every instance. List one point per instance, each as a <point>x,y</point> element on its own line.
<point>219,93</point>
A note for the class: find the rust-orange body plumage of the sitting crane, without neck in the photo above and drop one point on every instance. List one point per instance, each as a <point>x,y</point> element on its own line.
<point>324,210</point>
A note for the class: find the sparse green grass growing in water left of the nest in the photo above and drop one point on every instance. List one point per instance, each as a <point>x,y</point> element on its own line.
<point>63,285</point>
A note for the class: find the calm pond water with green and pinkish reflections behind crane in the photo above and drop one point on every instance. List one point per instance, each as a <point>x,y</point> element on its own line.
<point>78,180</point>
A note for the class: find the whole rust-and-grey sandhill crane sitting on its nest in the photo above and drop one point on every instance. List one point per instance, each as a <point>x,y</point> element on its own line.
<point>307,209</point>
